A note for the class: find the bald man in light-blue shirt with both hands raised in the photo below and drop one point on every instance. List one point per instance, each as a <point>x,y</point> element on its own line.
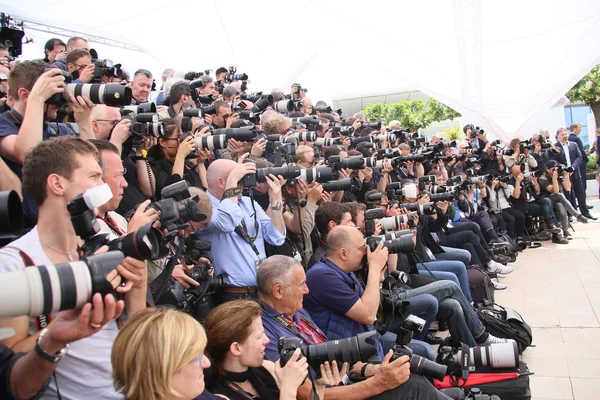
<point>239,226</point>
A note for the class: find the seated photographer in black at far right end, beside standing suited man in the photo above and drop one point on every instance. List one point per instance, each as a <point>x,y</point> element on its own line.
<point>554,181</point>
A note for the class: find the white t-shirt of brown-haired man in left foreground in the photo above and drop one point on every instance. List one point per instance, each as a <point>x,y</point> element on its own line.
<point>85,372</point>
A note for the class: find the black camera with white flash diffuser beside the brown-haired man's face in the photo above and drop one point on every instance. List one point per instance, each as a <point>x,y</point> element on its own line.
<point>143,244</point>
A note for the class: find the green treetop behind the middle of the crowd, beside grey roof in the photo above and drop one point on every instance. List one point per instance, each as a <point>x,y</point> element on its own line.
<point>412,115</point>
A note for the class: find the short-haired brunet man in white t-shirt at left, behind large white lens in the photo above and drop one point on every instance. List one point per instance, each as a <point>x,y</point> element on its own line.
<point>54,173</point>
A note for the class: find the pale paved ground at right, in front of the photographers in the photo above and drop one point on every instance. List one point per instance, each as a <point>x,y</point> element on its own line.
<point>557,290</point>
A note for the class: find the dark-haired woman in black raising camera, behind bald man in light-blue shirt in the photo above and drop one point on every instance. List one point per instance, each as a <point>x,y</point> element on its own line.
<point>169,161</point>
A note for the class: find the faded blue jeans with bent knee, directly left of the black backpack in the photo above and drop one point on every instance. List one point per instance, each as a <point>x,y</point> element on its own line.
<point>463,323</point>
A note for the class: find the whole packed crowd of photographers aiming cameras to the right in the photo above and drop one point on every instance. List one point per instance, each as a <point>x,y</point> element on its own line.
<point>276,223</point>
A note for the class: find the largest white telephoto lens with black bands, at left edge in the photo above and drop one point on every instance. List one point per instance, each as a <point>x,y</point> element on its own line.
<point>46,289</point>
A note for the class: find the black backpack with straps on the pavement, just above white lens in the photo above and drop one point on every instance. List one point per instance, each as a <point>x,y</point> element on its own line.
<point>506,323</point>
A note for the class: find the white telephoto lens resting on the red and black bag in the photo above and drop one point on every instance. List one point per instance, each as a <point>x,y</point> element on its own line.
<point>497,355</point>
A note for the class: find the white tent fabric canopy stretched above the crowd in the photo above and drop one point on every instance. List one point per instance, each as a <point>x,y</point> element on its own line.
<point>500,63</point>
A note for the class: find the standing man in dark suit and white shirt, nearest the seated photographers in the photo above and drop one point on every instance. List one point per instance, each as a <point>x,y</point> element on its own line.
<point>570,156</point>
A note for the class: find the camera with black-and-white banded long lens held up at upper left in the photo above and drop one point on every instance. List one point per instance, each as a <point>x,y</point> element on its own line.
<point>111,94</point>
